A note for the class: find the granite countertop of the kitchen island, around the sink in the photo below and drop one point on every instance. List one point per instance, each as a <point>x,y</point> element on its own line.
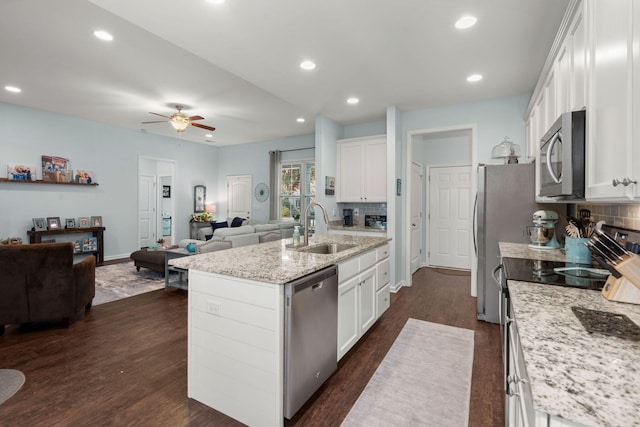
<point>273,262</point>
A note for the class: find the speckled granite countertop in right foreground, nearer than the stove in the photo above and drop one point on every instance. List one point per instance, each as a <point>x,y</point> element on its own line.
<point>592,379</point>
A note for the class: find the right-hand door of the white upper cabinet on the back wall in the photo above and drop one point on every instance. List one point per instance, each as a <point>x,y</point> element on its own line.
<point>375,171</point>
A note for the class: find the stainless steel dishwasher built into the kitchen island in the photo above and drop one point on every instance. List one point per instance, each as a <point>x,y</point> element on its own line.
<point>311,336</point>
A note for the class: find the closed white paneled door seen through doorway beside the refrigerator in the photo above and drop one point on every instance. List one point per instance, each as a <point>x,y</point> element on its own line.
<point>450,217</point>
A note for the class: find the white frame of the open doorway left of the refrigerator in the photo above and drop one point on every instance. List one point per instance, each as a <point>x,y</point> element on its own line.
<point>473,128</point>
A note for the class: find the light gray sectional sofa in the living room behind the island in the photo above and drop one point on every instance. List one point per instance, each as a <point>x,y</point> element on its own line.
<point>251,232</point>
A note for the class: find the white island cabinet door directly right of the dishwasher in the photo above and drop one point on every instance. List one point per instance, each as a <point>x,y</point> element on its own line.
<point>348,315</point>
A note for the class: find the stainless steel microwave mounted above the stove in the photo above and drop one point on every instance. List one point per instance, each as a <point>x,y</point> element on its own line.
<point>562,157</point>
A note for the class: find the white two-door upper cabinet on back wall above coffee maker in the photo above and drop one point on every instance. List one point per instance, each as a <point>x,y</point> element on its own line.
<point>362,170</point>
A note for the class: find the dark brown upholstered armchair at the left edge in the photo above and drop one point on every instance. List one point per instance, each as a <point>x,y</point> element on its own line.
<point>40,283</point>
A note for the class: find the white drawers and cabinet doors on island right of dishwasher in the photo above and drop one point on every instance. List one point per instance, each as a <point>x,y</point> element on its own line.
<point>363,295</point>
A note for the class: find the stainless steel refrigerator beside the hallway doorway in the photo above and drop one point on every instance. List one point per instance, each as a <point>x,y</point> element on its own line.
<point>504,206</point>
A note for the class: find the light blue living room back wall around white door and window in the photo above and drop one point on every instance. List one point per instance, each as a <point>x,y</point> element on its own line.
<point>253,159</point>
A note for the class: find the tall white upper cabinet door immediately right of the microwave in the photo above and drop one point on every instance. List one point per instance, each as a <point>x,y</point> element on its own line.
<point>609,116</point>
